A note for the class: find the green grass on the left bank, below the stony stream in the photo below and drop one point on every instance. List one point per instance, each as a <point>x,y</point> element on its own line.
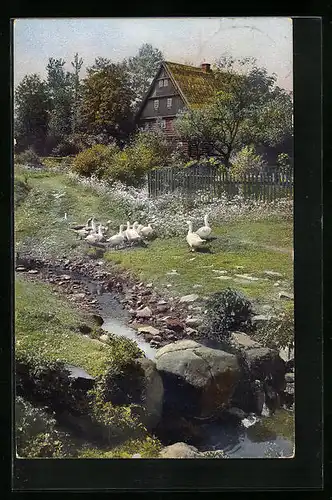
<point>43,326</point>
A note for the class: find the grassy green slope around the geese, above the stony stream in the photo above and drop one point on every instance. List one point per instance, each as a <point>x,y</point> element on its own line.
<point>40,225</point>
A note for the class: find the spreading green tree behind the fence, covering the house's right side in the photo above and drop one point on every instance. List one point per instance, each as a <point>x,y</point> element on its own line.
<point>248,108</point>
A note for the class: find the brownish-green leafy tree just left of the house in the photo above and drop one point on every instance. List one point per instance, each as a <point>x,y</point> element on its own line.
<point>106,101</point>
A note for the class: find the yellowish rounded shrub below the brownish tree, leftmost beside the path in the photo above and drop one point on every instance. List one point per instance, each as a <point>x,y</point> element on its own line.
<point>95,160</point>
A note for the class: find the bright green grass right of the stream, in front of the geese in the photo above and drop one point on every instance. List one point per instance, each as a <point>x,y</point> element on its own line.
<point>152,264</point>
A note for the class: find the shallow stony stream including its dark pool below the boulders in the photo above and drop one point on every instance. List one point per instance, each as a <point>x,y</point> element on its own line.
<point>136,311</point>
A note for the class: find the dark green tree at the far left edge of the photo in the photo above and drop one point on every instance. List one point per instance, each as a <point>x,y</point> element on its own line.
<point>31,113</point>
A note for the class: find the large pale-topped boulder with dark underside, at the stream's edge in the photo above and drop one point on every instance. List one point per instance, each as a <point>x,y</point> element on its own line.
<point>198,381</point>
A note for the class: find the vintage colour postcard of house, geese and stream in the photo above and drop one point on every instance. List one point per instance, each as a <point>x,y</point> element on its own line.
<point>153,192</point>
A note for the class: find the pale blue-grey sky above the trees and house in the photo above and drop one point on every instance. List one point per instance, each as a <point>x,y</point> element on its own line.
<point>183,40</point>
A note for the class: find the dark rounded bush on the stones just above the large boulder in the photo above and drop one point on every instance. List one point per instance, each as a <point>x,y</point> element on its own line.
<point>227,311</point>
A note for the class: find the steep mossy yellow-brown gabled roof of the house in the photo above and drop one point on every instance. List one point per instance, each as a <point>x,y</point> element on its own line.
<point>195,86</point>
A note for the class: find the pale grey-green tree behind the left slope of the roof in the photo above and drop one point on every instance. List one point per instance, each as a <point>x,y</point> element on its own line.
<point>142,69</point>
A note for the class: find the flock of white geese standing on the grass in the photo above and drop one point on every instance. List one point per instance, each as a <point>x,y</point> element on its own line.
<point>135,233</point>
